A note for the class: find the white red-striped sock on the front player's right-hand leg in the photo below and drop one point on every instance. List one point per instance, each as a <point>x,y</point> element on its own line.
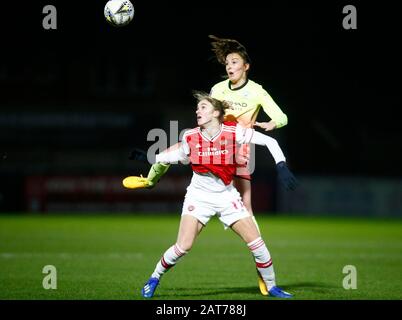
<point>263,261</point>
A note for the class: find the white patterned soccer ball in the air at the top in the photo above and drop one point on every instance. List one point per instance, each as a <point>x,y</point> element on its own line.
<point>119,12</point>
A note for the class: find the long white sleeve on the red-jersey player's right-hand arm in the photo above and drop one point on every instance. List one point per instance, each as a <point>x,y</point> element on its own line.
<point>249,135</point>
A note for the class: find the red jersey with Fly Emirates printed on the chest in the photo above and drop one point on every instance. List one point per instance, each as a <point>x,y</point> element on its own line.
<point>217,154</point>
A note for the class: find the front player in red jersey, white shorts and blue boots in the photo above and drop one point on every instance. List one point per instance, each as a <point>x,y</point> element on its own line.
<point>211,149</point>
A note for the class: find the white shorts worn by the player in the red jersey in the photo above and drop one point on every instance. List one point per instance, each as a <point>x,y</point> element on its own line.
<point>227,205</point>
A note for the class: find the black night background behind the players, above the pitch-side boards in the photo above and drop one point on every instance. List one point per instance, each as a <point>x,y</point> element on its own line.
<point>75,100</point>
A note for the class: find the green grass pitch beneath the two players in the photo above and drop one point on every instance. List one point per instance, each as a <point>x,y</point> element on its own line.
<point>111,256</point>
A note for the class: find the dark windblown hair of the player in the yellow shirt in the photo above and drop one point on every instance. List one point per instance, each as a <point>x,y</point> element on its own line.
<point>223,47</point>
